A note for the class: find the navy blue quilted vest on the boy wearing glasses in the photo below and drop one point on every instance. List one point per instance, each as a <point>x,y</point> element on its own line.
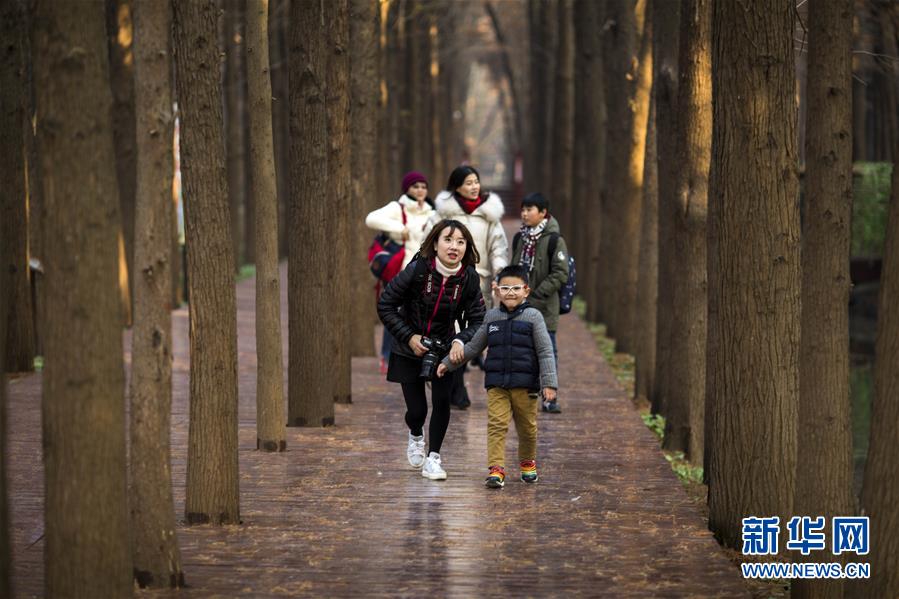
<point>512,357</point>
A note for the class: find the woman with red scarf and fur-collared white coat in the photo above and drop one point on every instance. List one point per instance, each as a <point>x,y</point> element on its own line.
<point>481,212</point>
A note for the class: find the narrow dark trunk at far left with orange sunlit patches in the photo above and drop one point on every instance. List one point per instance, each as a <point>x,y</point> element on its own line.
<point>120,34</point>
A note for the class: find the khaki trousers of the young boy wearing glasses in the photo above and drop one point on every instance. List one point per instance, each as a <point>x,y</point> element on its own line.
<point>501,405</point>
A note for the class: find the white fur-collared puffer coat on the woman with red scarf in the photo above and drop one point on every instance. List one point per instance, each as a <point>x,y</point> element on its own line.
<point>485,226</point>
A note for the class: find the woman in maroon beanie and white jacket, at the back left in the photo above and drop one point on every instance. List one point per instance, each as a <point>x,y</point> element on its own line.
<point>404,220</point>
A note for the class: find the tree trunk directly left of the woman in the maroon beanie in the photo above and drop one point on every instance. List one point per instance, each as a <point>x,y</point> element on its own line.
<point>364,117</point>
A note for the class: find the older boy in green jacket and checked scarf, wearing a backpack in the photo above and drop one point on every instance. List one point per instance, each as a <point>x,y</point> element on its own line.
<point>540,248</point>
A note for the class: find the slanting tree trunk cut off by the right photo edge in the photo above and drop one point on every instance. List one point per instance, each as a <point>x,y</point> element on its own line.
<point>880,490</point>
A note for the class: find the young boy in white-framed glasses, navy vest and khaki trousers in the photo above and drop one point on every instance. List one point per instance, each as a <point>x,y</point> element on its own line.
<point>520,361</point>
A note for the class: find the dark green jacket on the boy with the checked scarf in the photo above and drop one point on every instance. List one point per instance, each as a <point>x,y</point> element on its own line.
<point>548,274</point>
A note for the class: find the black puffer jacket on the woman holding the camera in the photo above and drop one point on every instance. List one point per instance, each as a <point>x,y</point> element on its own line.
<point>418,301</point>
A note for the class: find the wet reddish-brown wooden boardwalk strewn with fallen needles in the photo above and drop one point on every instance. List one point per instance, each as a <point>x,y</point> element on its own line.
<point>341,513</point>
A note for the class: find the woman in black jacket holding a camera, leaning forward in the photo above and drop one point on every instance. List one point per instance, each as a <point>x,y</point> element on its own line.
<point>420,307</point>
